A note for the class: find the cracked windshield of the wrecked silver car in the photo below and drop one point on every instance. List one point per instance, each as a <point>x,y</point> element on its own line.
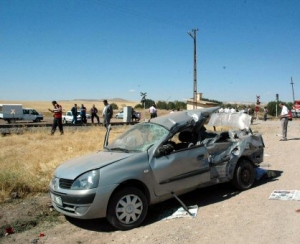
<point>140,137</point>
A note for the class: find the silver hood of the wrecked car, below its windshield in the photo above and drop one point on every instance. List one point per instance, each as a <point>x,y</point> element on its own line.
<point>74,167</point>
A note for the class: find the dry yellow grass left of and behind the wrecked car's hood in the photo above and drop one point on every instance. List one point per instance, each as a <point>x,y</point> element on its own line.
<point>28,159</point>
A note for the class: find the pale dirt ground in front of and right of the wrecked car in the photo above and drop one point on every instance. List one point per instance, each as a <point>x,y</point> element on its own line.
<point>224,214</point>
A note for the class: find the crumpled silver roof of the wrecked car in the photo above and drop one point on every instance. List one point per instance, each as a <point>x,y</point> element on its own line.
<point>176,120</point>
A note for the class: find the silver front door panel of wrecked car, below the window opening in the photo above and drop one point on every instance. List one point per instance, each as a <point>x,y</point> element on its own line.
<point>180,170</point>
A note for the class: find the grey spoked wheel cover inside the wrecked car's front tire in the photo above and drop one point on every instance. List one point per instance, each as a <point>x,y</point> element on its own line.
<point>129,209</point>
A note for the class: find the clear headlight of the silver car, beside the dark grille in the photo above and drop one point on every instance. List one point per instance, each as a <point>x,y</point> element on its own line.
<point>86,181</point>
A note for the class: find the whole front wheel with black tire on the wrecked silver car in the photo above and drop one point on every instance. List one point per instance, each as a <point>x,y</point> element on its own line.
<point>127,208</point>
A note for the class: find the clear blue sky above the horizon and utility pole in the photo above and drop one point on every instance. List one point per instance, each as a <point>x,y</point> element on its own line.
<point>96,49</point>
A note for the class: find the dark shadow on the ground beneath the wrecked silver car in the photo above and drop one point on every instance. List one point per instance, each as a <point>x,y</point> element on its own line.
<point>200,197</point>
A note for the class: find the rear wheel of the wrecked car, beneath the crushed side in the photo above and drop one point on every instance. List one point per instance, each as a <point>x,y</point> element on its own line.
<point>244,175</point>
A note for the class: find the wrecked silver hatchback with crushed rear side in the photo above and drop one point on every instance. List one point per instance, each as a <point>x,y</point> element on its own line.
<point>155,161</point>
